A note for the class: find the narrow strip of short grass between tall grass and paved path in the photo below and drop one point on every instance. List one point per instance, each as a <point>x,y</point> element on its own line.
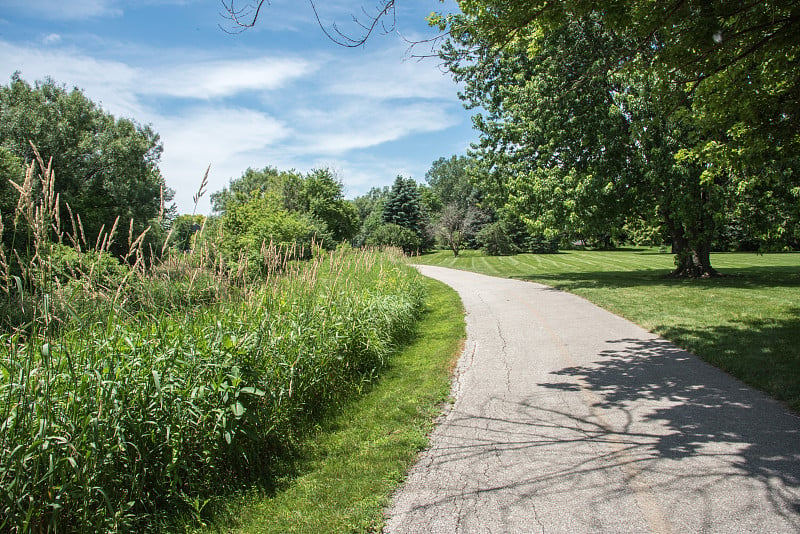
<point>345,475</point>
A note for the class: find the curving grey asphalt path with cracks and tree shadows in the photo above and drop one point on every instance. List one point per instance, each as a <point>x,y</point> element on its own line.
<point>570,419</point>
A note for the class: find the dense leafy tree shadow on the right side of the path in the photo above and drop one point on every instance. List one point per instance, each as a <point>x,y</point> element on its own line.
<point>701,413</point>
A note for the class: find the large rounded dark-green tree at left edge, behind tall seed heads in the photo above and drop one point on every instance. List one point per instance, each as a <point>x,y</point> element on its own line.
<point>105,167</point>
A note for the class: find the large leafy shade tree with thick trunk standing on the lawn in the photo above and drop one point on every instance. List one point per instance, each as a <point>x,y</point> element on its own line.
<point>601,118</point>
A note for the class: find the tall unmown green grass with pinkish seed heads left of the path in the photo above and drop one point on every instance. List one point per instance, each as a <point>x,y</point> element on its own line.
<point>114,421</point>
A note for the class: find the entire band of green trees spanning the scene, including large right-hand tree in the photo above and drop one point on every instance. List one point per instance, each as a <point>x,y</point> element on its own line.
<point>672,126</point>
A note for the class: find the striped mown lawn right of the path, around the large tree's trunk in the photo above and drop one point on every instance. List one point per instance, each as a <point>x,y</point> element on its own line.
<point>746,322</point>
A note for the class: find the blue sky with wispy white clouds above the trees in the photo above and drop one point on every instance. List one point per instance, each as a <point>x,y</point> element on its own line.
<point>280,94</point>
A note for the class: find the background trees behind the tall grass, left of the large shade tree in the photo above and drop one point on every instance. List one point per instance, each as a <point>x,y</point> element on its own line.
<point>108,184</point>
